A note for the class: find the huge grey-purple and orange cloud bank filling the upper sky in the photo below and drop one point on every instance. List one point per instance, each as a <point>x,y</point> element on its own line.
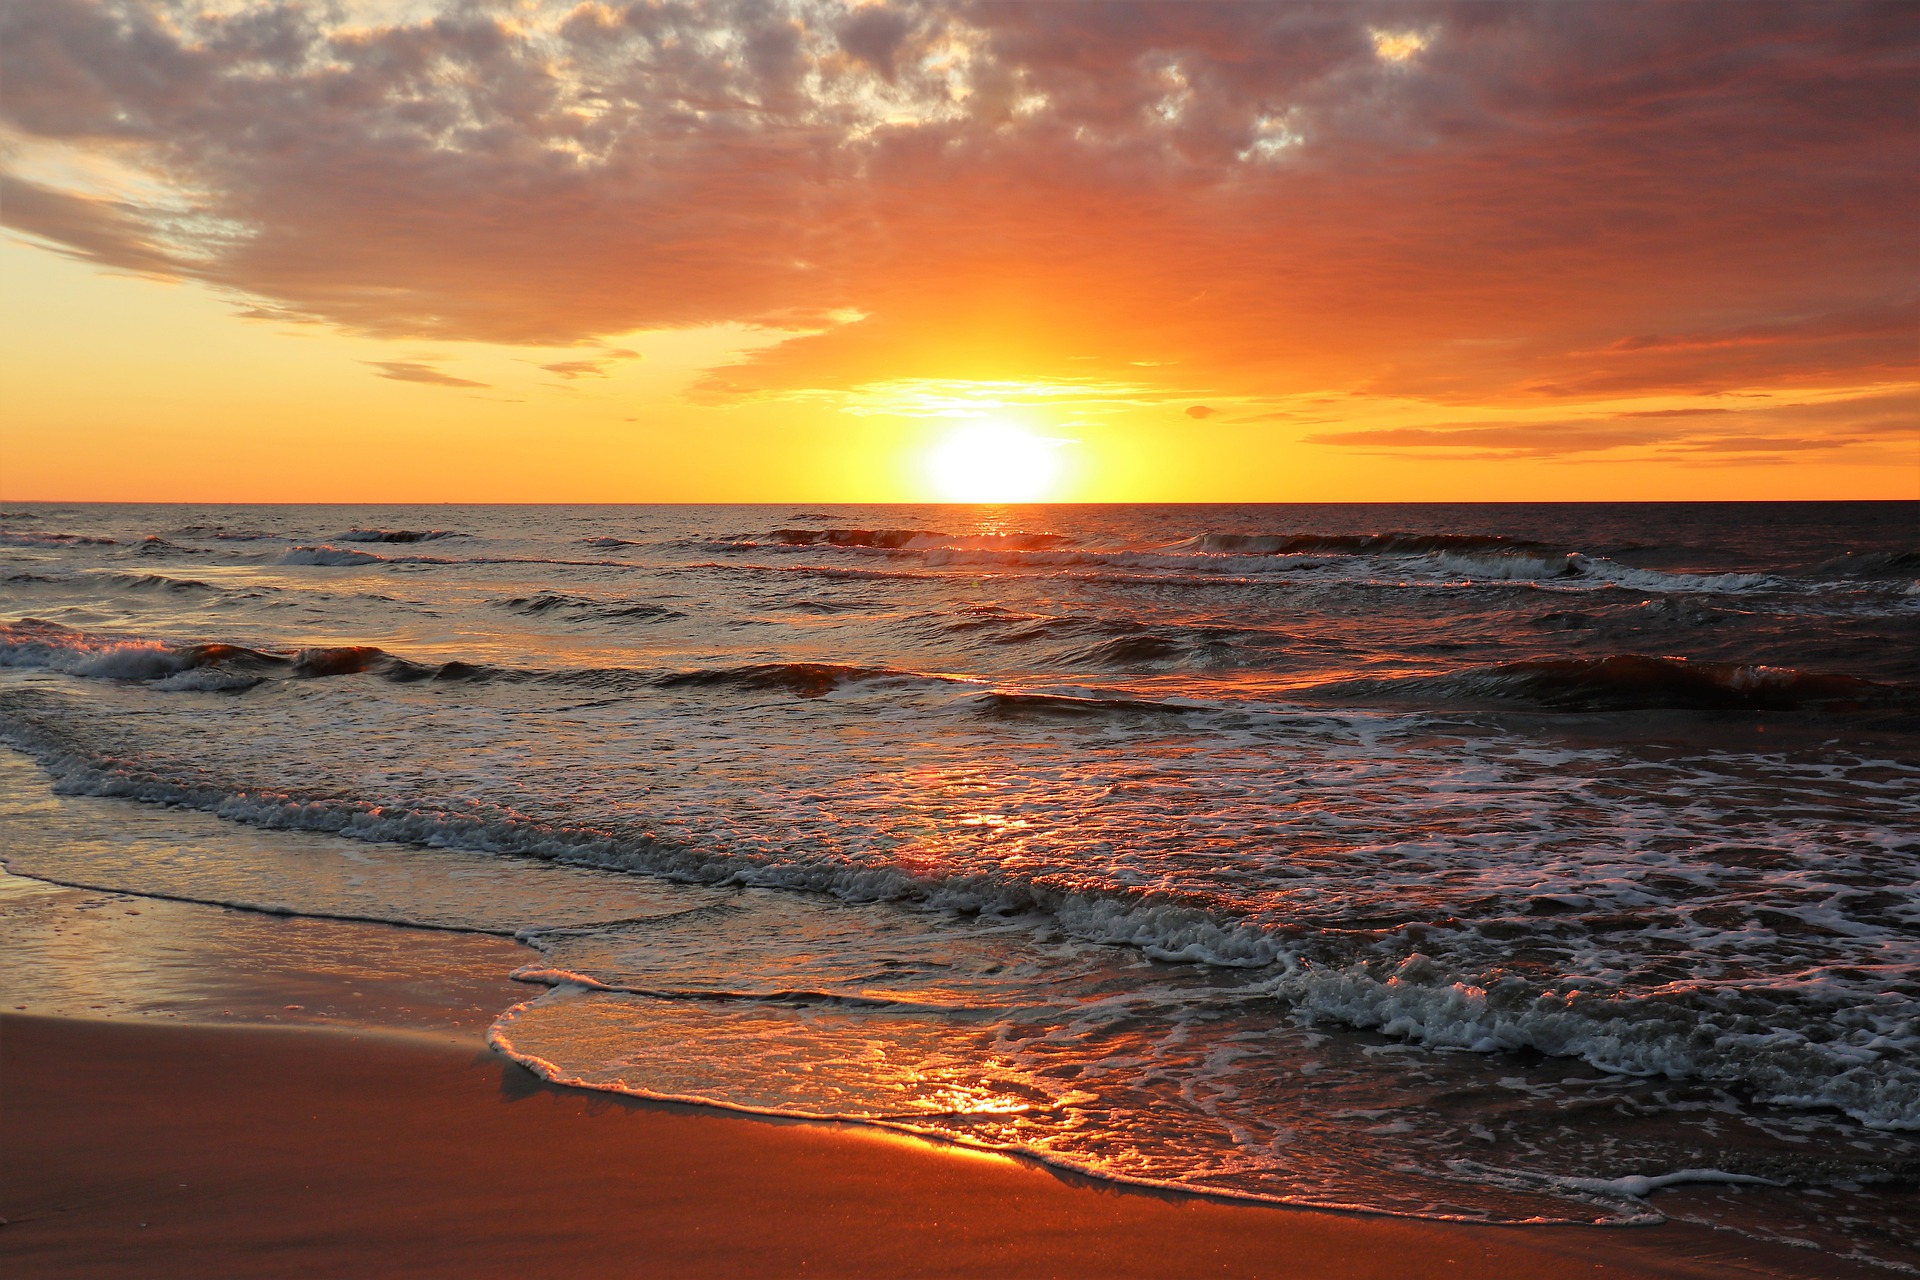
<point>1454,202</point>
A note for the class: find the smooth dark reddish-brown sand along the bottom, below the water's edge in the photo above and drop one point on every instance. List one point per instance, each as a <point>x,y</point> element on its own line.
<point>143,1150</point>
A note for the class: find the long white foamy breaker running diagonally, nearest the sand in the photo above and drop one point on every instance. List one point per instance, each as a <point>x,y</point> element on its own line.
<point>1846,1051</point>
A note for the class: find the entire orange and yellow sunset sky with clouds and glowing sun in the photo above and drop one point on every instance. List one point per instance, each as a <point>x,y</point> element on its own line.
<point>811,250</point>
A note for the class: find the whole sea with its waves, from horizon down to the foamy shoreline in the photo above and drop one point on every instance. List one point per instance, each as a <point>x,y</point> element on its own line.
<point>1493,863</point>
